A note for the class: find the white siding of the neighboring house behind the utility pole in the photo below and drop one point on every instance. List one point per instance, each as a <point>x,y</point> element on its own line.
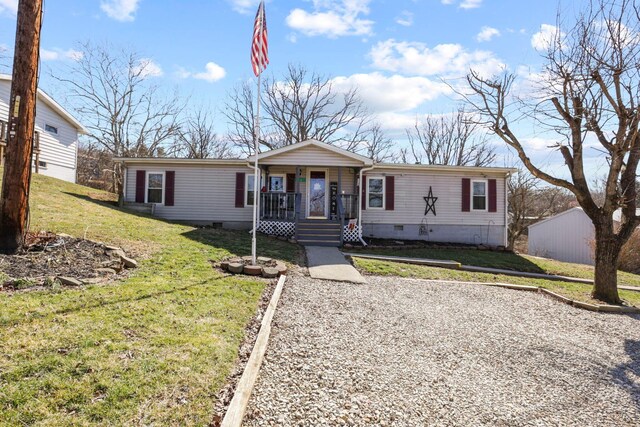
<point>59,150</point>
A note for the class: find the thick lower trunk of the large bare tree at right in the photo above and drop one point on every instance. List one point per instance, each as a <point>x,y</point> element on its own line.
<point>607,253</point>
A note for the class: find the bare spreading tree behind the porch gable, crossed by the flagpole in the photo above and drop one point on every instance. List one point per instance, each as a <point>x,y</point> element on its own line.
<point>301,105</point>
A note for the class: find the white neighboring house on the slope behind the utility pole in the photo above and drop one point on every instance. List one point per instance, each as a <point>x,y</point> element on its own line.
<point>56,135</point>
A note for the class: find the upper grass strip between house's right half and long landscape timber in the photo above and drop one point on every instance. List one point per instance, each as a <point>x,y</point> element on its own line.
<point>504,260</point>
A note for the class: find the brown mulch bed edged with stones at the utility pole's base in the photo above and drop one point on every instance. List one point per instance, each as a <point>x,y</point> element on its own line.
<point>47,257</point>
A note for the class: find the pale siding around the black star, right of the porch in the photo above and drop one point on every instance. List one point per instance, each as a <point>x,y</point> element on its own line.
<point>411,186</point>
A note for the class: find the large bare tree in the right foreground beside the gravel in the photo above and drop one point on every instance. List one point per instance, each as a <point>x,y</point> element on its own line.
<point>591,89</point>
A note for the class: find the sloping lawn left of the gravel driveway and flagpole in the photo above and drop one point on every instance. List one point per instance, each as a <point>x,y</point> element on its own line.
<point>152,349</point>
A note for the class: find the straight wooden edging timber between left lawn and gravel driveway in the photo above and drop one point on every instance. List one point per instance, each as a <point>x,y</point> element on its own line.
<point>238,406</point>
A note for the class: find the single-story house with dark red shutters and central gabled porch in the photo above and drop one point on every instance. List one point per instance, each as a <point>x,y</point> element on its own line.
<point>322,194</point>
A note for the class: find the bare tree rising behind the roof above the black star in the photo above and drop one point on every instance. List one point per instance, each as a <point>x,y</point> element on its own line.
<point>449,140</point>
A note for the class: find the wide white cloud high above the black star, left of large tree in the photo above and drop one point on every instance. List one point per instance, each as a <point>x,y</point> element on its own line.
<point>445,59</point>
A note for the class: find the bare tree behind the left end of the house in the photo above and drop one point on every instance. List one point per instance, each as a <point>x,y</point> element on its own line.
<point>124,113</point>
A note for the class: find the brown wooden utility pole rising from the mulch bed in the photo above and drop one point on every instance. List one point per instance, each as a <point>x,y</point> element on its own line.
<point>14,201</point>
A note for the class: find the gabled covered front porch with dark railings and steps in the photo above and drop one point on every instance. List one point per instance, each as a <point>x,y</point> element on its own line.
<point>311,192</point>
